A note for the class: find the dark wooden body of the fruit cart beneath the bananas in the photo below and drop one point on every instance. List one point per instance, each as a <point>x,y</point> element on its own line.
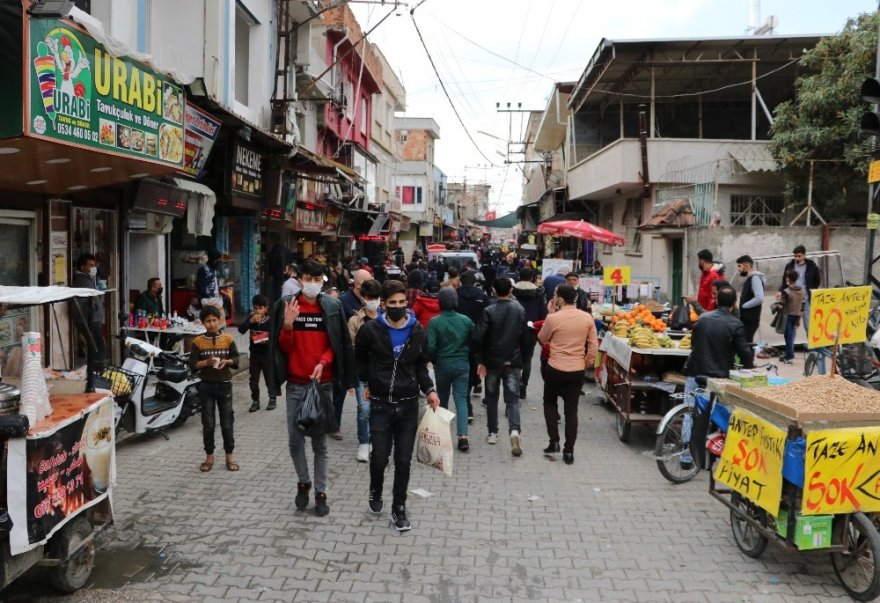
<point>632,382</point>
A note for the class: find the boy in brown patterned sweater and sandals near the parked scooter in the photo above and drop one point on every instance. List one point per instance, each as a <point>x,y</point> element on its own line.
<point>214,355</point>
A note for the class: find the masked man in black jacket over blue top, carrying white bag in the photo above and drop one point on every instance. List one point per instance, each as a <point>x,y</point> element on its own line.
<point>392,359</point>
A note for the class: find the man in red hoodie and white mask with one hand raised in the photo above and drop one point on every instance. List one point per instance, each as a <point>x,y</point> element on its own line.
<point>313,343</point>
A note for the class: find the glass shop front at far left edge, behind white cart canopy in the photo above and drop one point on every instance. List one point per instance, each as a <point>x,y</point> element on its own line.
<point>17,268</point>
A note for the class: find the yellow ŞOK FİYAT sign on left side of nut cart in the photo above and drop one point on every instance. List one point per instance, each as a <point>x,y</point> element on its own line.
<point>751,462</point>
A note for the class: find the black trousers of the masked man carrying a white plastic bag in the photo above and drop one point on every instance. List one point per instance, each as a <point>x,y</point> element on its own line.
<point>392,426</point>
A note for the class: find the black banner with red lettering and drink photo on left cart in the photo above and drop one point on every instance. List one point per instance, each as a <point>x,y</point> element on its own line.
<point>55,474</point>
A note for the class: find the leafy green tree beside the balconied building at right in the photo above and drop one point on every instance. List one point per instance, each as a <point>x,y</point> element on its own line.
<point>822,122</point>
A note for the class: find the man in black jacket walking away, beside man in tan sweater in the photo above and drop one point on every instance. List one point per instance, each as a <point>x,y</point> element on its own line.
<point>503,338</point>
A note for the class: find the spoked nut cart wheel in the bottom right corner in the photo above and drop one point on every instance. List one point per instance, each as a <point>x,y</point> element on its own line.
<point>856,567</point>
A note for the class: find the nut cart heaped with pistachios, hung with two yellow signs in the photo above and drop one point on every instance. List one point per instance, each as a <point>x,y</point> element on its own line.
<point>798,466</point>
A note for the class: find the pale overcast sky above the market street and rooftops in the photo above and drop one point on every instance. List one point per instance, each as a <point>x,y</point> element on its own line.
<point>512,51</point>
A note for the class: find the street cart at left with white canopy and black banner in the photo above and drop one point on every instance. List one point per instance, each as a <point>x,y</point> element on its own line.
<point>58,476</point>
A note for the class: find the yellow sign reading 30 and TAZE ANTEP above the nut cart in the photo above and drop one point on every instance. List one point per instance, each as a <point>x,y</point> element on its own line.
<point>844,310</point>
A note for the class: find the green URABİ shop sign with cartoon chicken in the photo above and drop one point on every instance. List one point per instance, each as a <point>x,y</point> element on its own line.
<point>80,94</point>
